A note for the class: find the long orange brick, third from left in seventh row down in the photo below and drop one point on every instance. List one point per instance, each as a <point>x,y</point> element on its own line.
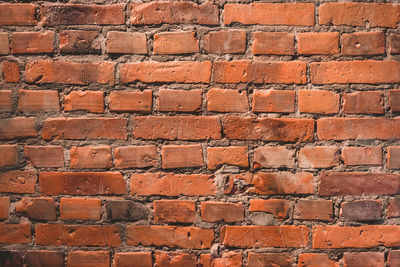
<point>143,184</point>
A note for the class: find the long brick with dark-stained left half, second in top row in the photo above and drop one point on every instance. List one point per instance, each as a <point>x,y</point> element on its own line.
<point>76,14</point>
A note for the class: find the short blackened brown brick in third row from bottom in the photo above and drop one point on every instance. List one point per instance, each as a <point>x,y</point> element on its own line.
<point>126,210</point>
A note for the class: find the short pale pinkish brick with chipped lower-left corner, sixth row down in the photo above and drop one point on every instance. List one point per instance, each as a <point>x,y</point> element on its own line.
<point>273,157</point>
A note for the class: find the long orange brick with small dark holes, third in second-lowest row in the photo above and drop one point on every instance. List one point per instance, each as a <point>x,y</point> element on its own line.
<point>171,236</point>
